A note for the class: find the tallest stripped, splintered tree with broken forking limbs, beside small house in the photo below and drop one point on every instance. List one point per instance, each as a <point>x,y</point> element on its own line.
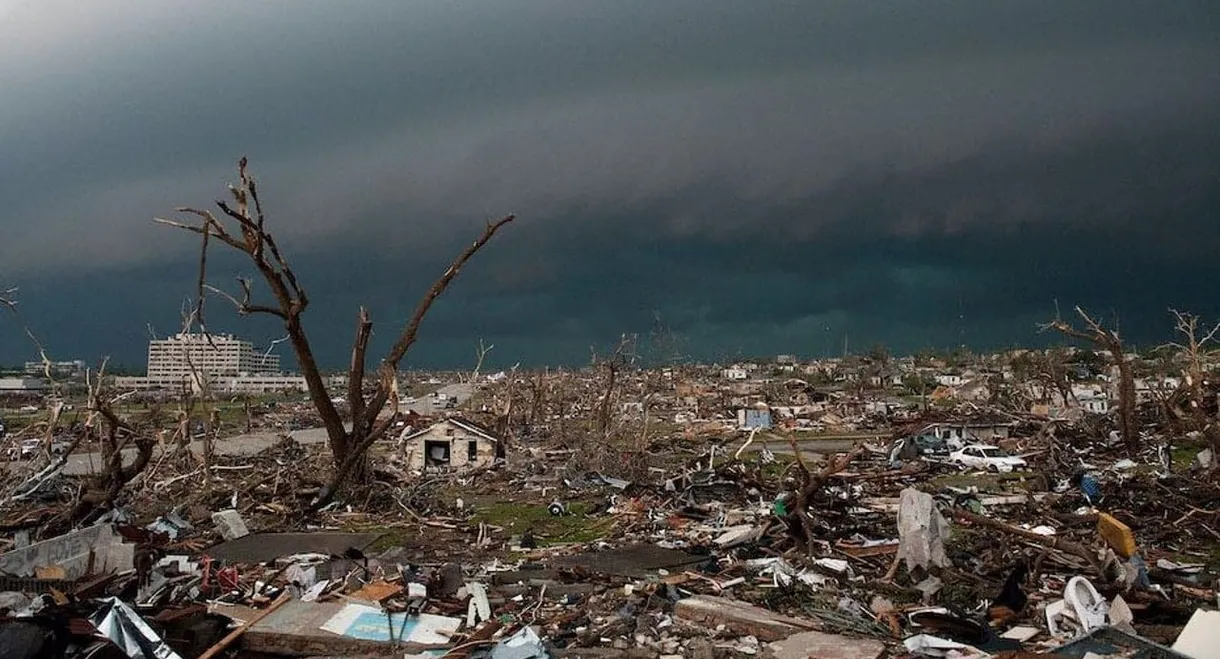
<point>252,239</point>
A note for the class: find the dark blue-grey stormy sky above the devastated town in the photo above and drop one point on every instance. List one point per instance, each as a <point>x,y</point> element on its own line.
<point>763,176</point>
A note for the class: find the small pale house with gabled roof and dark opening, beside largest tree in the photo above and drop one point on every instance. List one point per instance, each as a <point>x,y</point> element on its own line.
<point>454,444</point>
